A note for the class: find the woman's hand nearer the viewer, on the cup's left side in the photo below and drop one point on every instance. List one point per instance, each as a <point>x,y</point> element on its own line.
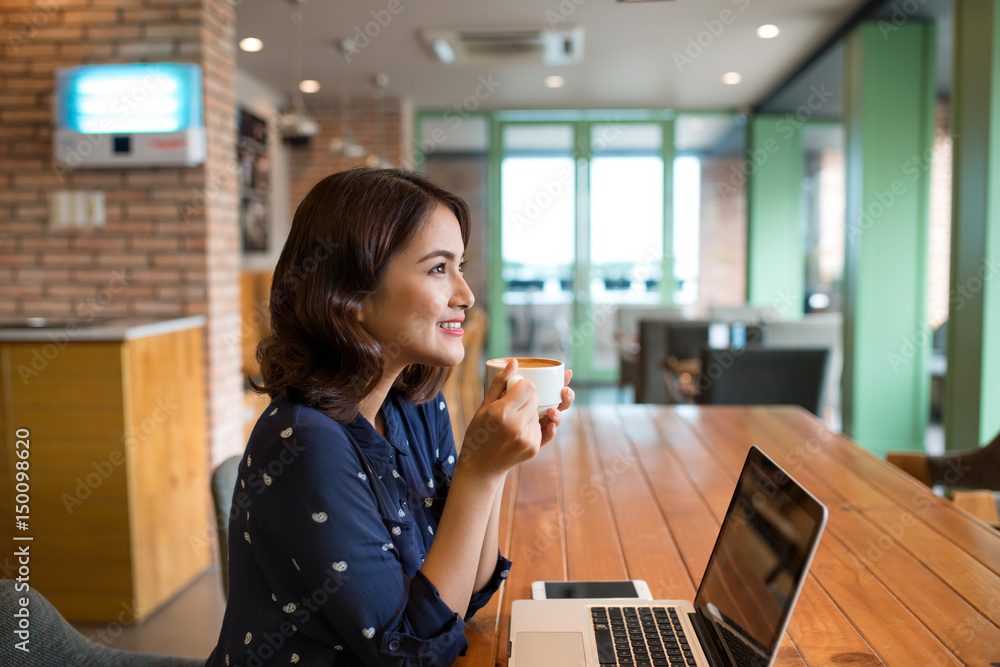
<point>505,430</point>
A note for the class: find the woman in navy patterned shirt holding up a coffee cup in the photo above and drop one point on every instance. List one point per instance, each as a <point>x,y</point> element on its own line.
<point>362,535</point>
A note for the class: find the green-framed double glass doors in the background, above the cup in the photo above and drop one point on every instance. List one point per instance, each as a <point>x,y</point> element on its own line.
<point>583,209</point>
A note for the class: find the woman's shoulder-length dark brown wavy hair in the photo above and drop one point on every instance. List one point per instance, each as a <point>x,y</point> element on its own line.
<point>344,235</point>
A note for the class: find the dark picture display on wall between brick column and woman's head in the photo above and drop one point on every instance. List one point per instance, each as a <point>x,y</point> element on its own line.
<point>255,177</point>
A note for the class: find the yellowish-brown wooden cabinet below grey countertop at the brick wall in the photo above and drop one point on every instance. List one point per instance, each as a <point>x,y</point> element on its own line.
<point>120,511</point>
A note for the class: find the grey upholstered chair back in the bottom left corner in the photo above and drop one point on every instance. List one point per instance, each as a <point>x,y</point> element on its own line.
<point>53,641</point>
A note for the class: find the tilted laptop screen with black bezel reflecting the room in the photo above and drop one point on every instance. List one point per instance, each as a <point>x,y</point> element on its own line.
<point>760,560</point>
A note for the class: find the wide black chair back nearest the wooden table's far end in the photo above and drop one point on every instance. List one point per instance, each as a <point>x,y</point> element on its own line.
<point>762,376</point>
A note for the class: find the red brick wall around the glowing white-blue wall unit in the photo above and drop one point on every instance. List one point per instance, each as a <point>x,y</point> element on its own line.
<point>170,245</point>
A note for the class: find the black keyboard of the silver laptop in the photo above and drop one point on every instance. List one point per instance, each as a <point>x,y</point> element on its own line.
<point>640,637</point>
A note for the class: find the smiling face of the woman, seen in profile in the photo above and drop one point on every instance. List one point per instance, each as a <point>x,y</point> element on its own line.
<point>417,312</point>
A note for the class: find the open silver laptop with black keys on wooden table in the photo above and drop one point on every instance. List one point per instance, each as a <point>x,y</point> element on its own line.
<point>758,565</point>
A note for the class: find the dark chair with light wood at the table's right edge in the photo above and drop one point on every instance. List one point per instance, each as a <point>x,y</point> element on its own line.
<point>967,469</point>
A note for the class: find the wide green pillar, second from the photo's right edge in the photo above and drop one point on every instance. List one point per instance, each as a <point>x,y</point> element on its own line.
<point>889,103</point>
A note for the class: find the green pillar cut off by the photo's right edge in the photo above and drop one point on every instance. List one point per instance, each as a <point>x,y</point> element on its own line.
<point>972,396</point>
